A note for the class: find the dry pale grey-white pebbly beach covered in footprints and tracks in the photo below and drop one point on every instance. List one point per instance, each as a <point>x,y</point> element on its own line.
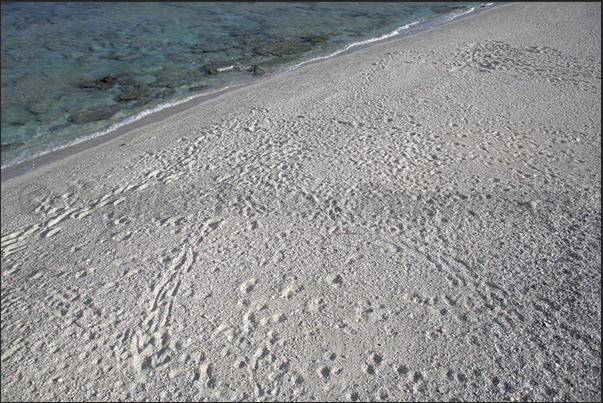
<point>417,220</point>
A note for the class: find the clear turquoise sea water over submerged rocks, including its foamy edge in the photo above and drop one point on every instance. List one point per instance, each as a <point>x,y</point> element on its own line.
<point>74,71</point>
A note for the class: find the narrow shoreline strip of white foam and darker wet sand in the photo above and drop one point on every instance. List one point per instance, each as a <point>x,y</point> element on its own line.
<point>25,167</point>
